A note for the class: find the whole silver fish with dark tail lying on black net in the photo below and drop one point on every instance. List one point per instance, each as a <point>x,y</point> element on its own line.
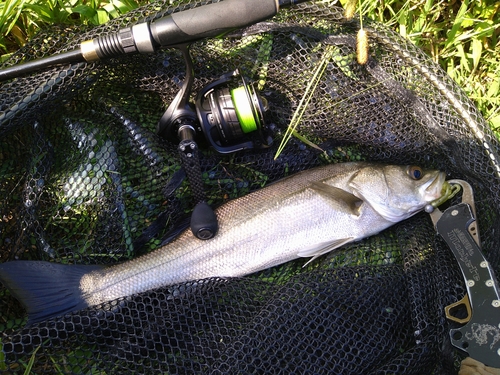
<point>305,215</point>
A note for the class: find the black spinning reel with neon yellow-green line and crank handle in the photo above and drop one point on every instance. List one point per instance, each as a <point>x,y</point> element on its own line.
<point>229,114</point>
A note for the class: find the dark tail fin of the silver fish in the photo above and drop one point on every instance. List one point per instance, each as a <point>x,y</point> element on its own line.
<point>45,289</point>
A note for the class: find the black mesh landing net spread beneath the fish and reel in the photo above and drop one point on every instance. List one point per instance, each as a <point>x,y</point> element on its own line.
<point>84,179</point>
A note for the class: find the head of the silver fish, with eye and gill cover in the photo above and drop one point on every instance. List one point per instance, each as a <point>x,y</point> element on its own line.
<point>397,192</point>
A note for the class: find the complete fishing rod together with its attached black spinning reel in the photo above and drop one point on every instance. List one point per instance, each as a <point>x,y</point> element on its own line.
<point>228,113</point>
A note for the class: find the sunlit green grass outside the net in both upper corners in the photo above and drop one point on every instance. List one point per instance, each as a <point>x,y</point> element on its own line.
<point>462,36</point>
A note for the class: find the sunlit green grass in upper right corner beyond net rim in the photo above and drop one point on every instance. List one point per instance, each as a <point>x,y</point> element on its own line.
<point>461,36</point>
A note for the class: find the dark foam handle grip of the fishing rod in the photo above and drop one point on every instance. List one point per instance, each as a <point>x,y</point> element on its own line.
<point>210,20</point>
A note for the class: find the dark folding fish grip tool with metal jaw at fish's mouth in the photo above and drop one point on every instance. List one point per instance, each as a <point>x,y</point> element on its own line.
<point>479,336</point>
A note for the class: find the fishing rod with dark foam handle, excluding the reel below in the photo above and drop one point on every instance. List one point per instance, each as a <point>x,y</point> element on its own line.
<point>184,27</point>
